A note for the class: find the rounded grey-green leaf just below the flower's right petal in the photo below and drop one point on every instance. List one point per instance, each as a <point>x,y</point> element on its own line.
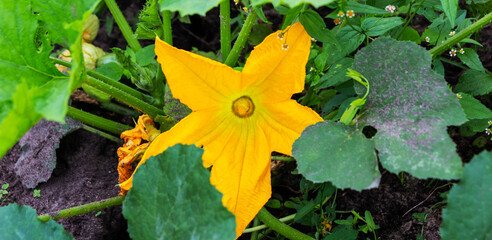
<point>330,151</point>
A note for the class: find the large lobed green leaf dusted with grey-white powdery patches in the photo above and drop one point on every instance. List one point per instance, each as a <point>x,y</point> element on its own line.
<point>410,106</point>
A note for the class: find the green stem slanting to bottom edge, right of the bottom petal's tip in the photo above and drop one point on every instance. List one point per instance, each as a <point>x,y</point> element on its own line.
<point>280,227</point>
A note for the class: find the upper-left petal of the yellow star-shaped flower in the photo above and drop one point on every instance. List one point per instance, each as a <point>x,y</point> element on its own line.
<point>195,80</point>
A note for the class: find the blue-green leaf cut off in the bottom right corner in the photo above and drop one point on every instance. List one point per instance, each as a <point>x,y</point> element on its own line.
<point>468,214</point>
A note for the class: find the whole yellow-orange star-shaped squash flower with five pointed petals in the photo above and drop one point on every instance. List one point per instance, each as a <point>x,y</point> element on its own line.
<point>239,118</point>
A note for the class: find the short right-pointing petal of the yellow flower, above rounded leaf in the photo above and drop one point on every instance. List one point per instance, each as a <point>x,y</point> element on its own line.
<point>285,122</point>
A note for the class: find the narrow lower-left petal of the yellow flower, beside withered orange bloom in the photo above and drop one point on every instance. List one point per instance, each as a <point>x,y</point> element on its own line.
<point>188,131</point>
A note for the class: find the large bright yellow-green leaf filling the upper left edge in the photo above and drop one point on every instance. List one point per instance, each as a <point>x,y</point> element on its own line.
<point>32,88</point>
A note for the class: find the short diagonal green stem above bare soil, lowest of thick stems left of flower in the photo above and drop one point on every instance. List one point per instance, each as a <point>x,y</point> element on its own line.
<point>96,121</point>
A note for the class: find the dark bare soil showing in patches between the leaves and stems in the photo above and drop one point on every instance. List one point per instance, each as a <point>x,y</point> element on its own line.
<point>86,163</point>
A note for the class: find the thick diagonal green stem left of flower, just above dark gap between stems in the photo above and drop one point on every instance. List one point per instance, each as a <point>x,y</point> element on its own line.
<point>124,97</point>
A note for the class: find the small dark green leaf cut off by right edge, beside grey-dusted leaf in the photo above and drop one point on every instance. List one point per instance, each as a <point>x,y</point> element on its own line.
<point>475,83</point>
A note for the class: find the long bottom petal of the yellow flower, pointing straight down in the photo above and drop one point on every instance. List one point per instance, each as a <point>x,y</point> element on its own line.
<point>242,172</point>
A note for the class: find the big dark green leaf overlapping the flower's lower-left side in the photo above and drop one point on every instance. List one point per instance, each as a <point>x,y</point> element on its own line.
<point>172,198</point>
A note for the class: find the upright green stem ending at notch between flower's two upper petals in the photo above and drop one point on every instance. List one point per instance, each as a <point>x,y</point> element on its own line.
<point>225,28</point>
